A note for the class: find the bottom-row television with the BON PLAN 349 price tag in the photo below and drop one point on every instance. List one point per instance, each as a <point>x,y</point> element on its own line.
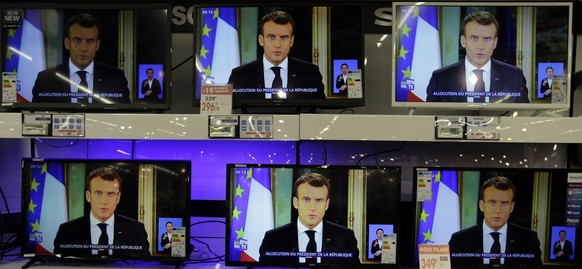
<point>546,204</point>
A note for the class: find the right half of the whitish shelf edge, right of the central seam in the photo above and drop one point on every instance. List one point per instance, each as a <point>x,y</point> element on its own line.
<point>421,128</point>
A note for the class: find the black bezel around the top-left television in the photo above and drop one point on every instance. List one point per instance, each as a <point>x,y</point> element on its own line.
<point>139,106</point>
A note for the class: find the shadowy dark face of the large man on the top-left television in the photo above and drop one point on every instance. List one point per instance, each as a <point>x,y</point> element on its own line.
<point>82,44</point>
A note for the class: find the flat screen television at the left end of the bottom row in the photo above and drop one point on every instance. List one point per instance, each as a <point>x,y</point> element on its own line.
<point>64,203</point>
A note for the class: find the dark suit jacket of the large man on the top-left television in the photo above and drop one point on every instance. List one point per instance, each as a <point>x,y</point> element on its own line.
<point>107,80</point>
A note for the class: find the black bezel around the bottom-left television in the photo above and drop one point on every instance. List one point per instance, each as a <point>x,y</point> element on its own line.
<point>34,257</point>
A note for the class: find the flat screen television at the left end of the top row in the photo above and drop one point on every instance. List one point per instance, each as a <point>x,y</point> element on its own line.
<point>134,40</point>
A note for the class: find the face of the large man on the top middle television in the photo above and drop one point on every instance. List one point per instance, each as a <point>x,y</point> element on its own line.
<point>276,41</point>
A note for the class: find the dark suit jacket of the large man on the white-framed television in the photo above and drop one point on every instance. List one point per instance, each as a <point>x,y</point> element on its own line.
<point>505,78</point>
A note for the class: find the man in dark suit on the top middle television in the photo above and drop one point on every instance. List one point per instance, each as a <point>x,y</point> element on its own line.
<point>275,75</point>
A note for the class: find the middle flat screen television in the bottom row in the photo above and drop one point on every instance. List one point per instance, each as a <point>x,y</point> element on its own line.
<point>273,208</point>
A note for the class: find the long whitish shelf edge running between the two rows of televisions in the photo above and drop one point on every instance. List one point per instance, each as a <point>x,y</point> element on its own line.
<point>312,127</point>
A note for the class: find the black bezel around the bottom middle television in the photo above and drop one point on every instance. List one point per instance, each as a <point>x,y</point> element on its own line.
<point>363,263</point>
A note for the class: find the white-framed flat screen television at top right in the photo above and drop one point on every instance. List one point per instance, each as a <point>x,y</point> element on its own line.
<point>433,62</point>
